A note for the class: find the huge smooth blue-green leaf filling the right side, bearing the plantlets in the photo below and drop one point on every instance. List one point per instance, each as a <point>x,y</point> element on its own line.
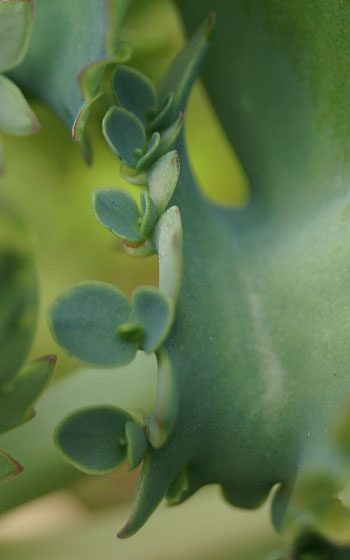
<point>260,345</point>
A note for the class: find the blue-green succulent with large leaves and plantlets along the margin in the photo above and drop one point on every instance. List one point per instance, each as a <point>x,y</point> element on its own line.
<point>249,322</point>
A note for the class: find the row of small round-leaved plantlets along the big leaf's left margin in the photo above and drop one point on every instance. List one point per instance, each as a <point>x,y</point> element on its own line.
<point>93,321</point>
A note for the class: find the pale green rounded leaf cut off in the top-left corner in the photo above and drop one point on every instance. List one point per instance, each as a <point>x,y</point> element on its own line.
<point>15,28</point>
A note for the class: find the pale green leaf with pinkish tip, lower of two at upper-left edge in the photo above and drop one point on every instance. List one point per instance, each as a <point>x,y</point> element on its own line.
<point>16,117</point>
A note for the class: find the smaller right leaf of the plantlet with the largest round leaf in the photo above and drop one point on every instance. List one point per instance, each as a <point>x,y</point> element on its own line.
<point>154,311</point>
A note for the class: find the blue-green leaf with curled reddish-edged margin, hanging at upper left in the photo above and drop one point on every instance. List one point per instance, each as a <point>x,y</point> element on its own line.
<point>71,45</point>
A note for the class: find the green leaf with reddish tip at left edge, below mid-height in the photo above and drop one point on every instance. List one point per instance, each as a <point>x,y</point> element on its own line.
<point>17,399</point>
